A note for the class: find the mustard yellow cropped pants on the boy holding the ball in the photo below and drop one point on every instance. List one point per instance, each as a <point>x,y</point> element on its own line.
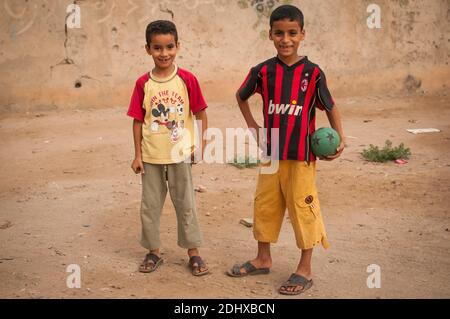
<point>293,186</point>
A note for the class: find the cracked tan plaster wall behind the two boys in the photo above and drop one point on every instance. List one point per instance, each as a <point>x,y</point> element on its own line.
<point>46,65</point>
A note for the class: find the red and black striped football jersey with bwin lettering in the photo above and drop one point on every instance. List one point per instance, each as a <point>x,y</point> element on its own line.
<point>290,96</point>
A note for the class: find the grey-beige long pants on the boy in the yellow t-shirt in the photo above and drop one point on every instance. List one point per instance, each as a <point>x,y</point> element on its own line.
<point>154,191</point>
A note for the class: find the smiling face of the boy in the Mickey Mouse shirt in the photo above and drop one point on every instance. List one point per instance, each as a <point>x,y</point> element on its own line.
<point>163,49</point>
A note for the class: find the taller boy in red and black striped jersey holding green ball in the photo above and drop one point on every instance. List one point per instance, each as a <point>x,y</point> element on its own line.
<point>292,88</point>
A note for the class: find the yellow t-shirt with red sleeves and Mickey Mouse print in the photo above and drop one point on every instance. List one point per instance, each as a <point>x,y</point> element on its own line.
<point>166,107</point>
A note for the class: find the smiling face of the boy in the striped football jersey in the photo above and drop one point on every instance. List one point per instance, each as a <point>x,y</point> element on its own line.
<point>286,36</point>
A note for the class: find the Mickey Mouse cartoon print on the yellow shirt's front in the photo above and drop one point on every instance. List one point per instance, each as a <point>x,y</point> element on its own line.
<point>168,119</point>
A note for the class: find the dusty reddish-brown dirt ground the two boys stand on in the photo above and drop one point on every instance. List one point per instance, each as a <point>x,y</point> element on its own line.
<point>68,196</point>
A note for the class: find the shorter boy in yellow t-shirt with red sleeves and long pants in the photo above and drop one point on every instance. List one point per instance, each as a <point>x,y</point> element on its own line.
<point>163,106</point>
